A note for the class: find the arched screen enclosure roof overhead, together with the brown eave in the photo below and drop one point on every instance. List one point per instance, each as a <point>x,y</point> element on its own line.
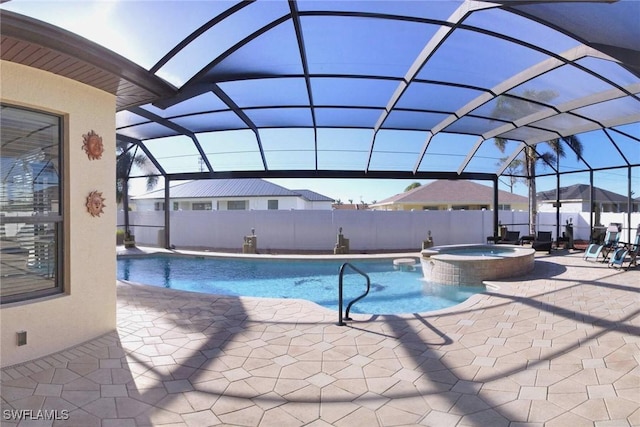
<point>350,89</point>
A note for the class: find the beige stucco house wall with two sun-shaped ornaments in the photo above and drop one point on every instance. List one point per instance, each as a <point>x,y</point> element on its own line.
<point>87,309</point>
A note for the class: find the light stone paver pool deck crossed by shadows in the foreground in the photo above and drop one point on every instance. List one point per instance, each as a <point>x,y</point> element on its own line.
<point>558,347</point>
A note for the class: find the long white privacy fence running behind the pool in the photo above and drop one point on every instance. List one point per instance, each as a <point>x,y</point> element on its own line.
<point>310,230</point>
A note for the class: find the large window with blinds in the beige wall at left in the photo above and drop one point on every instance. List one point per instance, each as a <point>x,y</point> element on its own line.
<point>31,226</point>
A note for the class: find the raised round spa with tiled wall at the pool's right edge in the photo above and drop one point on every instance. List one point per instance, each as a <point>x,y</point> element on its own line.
<point>473,264</point>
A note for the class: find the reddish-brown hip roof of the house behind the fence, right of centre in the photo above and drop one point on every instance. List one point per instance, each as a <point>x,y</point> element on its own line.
<point>451,192</point>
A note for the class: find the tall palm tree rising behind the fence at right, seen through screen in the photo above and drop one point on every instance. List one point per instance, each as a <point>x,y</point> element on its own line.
<point>511,108</point>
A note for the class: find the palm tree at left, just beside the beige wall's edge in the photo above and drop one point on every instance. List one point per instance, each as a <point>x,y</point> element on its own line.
<point>128,156</point>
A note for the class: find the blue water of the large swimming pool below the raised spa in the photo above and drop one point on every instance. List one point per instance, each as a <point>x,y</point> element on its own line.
<point>393,291</point>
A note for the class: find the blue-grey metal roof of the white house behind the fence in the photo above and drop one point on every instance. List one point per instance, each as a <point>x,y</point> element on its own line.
<point>217,188</point>
